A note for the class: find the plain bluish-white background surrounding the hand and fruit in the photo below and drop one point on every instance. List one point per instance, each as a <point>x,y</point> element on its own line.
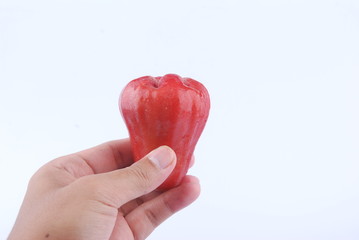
<point>279,158</point>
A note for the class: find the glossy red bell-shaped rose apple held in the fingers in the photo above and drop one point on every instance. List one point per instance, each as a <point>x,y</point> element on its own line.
<point>167,110</point>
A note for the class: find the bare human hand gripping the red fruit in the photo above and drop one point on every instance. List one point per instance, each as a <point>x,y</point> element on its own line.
<point>100,193</point>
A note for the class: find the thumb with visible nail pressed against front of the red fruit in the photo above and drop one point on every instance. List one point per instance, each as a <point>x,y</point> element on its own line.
<point>120,186</point>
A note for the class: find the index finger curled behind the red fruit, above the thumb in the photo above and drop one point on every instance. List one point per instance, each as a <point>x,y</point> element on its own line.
<point>65,170</point>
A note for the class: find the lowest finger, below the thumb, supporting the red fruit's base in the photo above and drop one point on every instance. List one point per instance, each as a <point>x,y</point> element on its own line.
<point>144,219</point>
